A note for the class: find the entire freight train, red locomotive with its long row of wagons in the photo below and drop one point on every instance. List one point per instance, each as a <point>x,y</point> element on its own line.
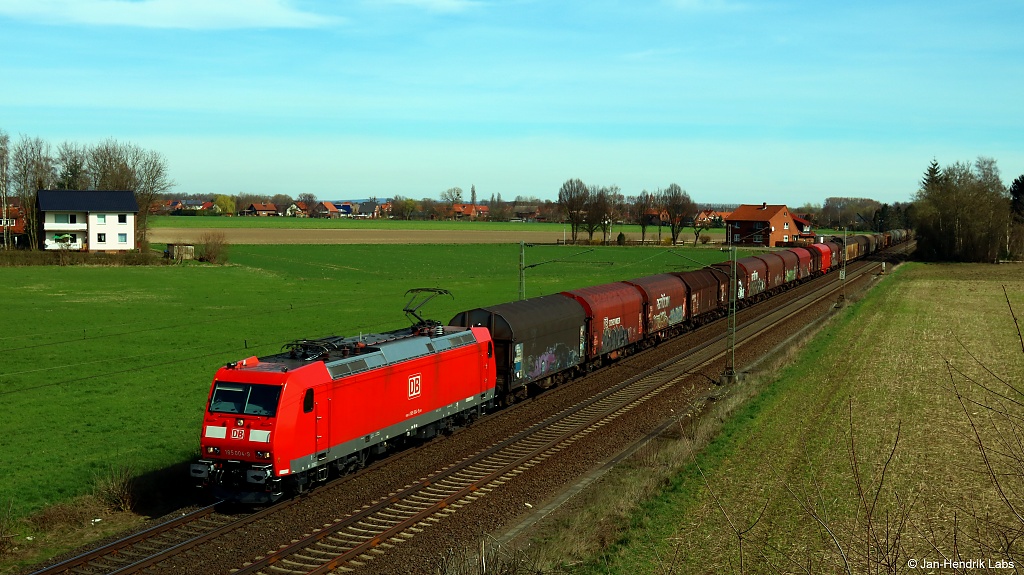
<point>280,424</point>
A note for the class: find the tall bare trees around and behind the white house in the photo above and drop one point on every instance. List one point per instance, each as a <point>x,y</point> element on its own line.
<point>31,164</point>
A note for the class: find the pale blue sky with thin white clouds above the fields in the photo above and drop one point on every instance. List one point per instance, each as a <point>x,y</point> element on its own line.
<point>737,102</point>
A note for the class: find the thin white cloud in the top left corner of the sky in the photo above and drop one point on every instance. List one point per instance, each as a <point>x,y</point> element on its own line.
<point>193,15</point>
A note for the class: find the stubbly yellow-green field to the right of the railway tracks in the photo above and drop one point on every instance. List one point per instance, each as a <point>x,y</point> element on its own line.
<point>784,469</point>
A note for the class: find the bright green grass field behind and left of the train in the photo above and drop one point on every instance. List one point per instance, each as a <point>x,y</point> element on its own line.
<point>109,367</point>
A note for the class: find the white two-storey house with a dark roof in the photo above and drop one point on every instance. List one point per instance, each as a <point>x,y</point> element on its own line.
<point>89,220</point>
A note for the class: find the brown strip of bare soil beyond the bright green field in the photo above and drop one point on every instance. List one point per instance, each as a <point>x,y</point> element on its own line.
<point>193,236</point>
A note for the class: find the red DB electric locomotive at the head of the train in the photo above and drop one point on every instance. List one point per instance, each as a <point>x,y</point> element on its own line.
<point>284,421</point>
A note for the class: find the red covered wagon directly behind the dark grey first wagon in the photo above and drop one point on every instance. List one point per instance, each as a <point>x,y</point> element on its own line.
<point>615,317</point>
